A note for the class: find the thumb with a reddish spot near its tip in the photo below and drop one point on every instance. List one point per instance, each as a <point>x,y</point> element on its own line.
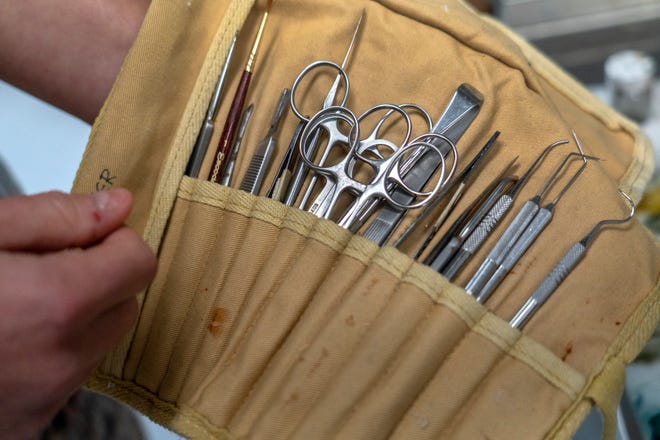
<point>55,220</point>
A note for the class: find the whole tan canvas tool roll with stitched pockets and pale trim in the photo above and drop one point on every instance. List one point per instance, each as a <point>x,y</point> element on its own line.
<point>264,321</point>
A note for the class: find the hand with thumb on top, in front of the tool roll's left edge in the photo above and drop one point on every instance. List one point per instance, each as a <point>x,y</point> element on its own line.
<point>69,272</point>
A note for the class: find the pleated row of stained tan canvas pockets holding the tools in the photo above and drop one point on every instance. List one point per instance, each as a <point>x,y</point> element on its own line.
<point>270,323</point>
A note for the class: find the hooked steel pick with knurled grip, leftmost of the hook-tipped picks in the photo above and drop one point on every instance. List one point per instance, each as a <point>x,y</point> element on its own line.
<point>492,219</point>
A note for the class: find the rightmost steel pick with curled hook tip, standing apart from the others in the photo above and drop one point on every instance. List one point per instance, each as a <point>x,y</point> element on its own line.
<point>563,268</point>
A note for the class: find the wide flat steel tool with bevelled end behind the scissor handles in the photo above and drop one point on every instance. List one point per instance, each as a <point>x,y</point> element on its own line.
<point>457,117</point>
